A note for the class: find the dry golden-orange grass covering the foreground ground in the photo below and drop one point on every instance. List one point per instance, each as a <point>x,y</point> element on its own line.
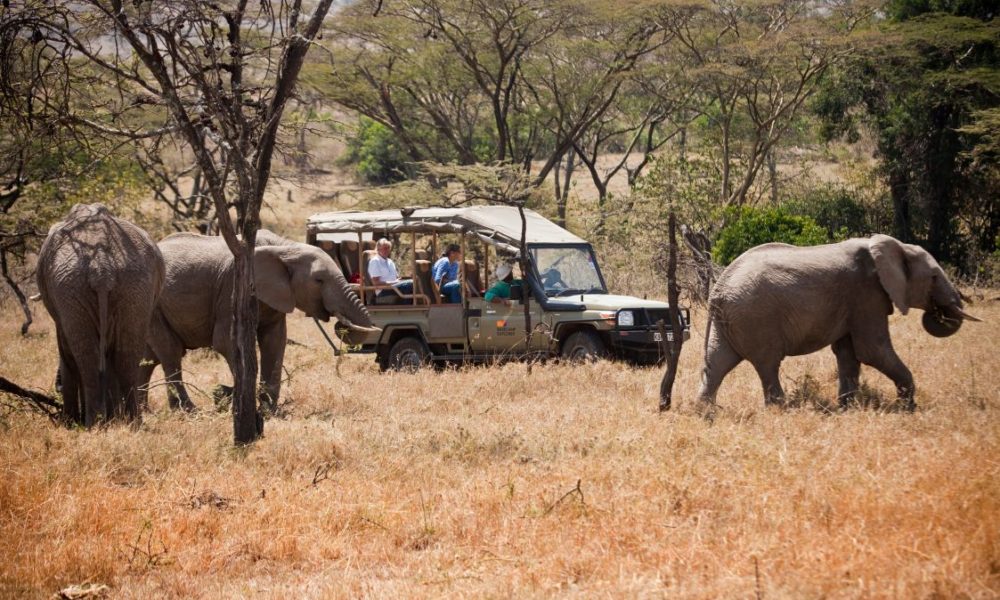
<point>464,483</point>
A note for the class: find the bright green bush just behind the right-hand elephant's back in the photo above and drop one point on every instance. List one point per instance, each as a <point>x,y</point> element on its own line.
<point>748,227</point>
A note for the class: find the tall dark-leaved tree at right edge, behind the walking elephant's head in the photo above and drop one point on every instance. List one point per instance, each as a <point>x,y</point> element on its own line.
<point>926,86</point>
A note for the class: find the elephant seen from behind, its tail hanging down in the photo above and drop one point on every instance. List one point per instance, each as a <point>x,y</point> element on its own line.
<point>99,277</point>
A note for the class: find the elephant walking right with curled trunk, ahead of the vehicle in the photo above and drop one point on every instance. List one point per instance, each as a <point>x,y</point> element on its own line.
<point>778,300</point>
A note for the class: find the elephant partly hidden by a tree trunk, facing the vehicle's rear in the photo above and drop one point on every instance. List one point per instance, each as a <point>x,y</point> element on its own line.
<point>195,310</point>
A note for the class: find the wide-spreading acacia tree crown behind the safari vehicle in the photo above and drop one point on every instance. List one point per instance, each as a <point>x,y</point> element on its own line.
<point>510,81</point>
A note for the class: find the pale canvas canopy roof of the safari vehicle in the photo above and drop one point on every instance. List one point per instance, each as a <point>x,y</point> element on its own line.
<point>496,225</point>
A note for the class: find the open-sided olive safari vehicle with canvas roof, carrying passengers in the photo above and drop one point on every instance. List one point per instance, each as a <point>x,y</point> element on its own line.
<point>571,312</point>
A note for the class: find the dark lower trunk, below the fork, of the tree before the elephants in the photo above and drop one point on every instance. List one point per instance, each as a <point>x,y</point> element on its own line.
<point>248,425</point>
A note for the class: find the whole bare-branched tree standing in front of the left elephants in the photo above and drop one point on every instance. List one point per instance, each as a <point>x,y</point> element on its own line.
<point>219,76</point>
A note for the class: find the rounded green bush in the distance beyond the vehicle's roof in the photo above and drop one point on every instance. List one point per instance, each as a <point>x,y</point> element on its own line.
<point>377,155</point>
